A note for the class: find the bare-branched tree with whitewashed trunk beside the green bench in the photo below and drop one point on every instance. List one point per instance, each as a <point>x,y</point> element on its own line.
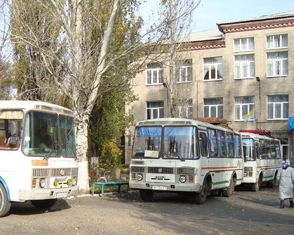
<point>88,32</point>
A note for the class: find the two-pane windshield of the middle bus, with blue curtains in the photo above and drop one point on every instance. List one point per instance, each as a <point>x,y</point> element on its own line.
<point>166,142</point>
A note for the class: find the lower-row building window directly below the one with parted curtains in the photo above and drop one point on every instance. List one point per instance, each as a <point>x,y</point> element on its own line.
<point>213,107</point>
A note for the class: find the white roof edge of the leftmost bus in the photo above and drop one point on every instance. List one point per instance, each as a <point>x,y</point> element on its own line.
<point>33,105</point>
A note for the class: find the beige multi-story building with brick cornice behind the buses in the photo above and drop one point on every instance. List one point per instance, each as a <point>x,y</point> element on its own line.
<point>242,72</point>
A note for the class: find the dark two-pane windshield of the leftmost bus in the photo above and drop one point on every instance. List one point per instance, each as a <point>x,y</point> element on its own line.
<point>48,135</point>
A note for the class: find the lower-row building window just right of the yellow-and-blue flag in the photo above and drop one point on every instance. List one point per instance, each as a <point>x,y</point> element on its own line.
<point>277,107</point>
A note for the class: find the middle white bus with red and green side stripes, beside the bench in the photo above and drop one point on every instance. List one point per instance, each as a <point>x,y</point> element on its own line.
<point>185,156</point>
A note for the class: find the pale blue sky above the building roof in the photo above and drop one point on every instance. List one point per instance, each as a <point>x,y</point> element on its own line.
<point>211,12</point>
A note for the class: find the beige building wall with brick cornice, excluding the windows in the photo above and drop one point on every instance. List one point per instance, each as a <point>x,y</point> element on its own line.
<point>228,88</point>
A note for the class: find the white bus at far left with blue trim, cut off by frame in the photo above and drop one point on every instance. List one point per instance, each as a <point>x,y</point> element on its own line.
<point>37,154</point>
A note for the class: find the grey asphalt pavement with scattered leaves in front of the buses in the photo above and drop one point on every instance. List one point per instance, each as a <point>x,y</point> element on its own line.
<point>245,212</point>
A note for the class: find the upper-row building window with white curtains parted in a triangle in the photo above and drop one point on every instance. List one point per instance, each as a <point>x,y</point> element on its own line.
<point>213,68</point>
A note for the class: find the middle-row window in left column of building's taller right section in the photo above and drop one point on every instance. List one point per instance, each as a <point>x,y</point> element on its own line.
<point>244,66</point>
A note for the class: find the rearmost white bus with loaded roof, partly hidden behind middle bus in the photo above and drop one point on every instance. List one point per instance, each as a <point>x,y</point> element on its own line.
<point>262,158</point>
